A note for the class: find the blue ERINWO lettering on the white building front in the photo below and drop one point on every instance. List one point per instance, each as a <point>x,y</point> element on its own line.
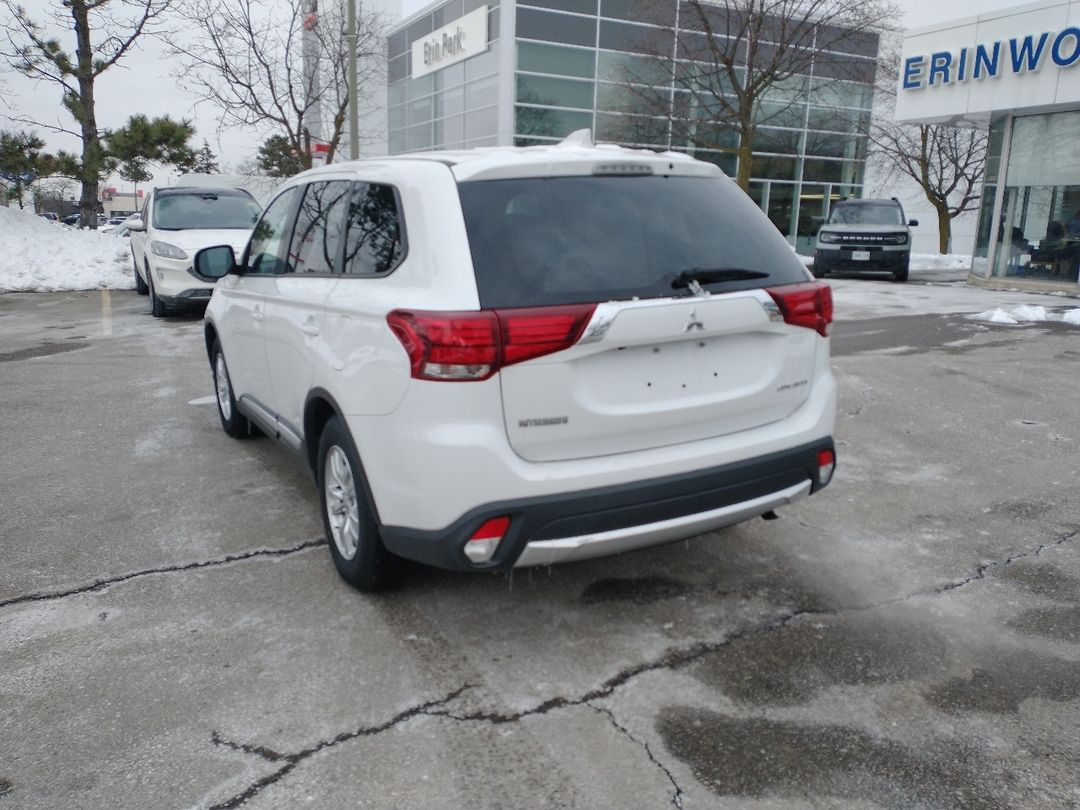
<point>993,60</point>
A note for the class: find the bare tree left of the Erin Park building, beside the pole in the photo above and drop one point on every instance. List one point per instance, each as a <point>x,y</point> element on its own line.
<point>247,59</point>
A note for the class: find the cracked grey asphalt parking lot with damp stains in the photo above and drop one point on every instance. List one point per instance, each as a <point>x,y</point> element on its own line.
<point>173,632</point>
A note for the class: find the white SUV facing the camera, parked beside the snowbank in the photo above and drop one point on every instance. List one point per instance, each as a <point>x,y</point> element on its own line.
<point>173,225</point>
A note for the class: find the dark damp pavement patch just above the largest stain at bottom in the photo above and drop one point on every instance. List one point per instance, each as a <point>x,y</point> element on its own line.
<point>802,660</point>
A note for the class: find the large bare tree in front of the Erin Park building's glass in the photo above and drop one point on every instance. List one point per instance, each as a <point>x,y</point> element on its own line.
<point>737,65</point>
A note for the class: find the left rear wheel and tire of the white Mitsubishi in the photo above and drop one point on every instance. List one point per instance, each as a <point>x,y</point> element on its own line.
<point>362,560</point>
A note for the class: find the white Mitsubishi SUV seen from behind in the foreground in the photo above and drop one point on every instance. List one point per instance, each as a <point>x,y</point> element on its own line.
<point>521,357</point>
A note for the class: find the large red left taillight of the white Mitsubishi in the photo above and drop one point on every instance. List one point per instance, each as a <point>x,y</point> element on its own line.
<point>474,346</point>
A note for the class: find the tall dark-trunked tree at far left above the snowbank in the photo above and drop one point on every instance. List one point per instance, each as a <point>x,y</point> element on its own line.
<point>105,32</point>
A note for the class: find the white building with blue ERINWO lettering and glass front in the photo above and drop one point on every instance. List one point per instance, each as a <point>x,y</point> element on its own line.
<point>1018,73</point>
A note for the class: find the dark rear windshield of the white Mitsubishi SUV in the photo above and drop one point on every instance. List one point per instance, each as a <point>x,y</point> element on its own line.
<point>583,240</point>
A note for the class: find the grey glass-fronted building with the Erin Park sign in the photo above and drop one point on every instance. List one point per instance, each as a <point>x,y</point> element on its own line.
<point>464,74</point>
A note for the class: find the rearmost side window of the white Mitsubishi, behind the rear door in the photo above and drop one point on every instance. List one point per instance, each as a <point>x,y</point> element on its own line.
<point>375,236</point>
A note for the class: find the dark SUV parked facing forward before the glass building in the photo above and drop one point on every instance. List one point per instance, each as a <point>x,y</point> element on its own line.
<point>866,236</point>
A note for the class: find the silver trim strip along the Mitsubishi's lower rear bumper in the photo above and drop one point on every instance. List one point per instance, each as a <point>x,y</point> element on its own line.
<point>602,544</point>
